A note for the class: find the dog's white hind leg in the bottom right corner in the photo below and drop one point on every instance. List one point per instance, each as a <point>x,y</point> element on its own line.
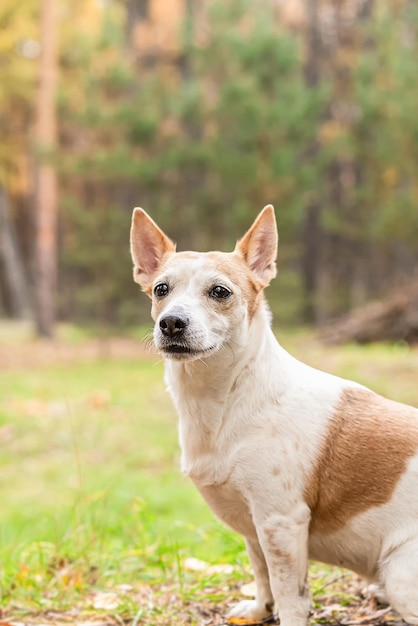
<point>399,576</point>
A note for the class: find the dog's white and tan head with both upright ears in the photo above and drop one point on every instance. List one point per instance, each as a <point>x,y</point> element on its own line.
<point>202,301</point>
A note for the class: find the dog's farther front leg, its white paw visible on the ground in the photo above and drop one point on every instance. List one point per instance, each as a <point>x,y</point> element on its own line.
<point>263,604</point>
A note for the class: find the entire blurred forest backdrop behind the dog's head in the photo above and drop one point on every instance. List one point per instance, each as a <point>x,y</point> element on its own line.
<point>202,112</point>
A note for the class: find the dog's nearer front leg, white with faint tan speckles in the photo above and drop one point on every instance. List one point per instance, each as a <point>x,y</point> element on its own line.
<point>284,541</point>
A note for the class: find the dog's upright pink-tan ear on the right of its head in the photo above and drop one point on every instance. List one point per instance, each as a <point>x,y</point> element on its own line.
<point>259,246</point>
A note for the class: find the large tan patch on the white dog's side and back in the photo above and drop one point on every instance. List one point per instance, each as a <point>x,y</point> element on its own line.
<point>369,443</point>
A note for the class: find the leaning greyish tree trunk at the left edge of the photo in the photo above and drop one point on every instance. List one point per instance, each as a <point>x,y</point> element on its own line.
<point>16,286</point>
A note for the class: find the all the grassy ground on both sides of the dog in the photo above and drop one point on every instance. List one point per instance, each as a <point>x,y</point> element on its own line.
<point>94,513</point>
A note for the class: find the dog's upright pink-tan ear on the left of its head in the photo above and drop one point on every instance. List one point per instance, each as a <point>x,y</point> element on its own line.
<point>149,245</point>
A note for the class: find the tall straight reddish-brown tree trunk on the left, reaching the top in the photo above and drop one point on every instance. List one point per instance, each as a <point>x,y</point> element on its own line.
<point>45,183</point>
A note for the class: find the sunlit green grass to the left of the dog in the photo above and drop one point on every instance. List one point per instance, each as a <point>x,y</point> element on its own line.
<point>90,490</point>
